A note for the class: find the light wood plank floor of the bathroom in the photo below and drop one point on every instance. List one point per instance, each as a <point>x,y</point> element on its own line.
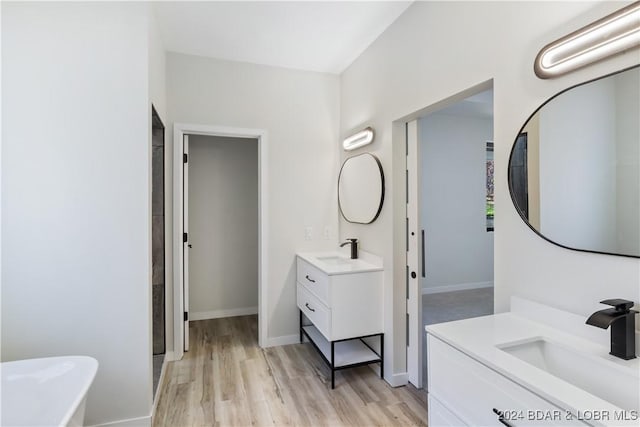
<point>227,380</point>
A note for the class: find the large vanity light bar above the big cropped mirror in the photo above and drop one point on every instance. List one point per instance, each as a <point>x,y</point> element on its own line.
<point>605,37</point>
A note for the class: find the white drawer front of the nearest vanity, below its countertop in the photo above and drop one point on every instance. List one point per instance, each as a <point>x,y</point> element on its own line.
<point>472,391</point>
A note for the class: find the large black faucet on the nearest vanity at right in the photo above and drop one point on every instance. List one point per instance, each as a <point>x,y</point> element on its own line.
<point>622,321</point>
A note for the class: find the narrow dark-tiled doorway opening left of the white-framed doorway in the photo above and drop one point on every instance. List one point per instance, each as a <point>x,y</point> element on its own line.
<point>158,247</point>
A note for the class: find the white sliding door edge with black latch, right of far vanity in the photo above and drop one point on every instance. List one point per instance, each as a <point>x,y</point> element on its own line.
<point>415,328</point>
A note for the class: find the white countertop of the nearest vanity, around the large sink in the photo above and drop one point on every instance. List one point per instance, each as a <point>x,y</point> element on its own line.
<point>480,338</point>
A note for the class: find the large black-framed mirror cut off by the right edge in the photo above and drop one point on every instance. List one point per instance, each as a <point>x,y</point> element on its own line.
<point>574,169</point>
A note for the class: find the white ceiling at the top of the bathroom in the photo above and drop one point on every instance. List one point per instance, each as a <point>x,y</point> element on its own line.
<point>308,35</point>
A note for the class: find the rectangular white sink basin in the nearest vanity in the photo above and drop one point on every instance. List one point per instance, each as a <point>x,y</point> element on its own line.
<point>603,378</point>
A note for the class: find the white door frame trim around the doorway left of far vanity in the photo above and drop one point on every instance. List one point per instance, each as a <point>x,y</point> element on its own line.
<point>179,130</point>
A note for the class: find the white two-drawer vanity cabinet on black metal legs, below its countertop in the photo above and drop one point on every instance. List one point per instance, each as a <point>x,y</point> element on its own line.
<point>340,310</point>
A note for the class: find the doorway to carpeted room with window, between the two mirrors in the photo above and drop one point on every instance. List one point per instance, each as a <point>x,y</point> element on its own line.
<point>450,215</point>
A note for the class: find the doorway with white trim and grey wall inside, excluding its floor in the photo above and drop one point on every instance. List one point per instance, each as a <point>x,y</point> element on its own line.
<point>220,222</point>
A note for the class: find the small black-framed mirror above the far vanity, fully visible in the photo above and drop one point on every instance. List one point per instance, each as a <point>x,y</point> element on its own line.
<point>361,189</point>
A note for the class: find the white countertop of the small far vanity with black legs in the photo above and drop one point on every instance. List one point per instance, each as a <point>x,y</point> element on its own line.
<point>338,262</point>
